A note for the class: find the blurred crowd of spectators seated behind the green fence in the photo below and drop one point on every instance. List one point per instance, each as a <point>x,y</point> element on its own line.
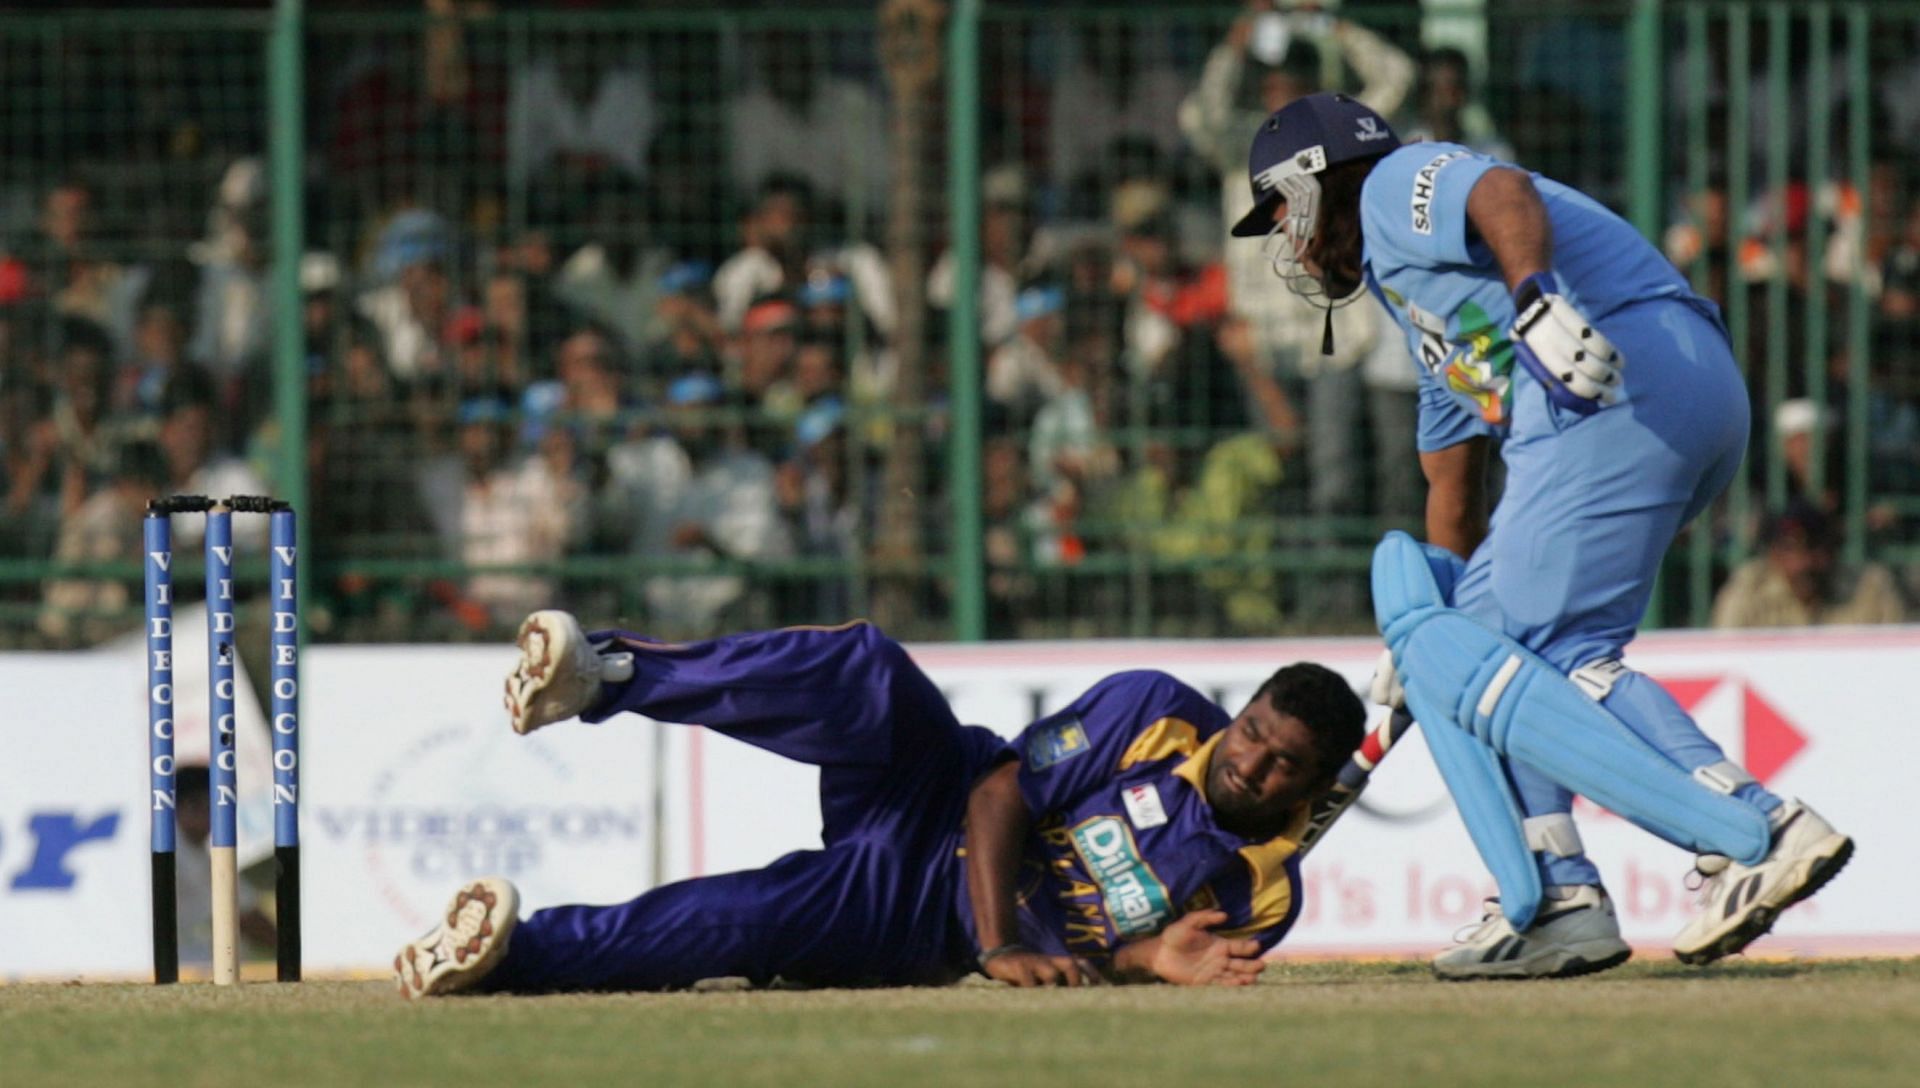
<point>610,319</point>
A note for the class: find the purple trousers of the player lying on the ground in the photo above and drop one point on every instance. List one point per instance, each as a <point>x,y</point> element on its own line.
<point>875,907</point>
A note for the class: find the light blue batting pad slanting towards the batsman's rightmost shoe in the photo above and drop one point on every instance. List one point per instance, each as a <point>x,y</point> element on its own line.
<point>1493,688</point>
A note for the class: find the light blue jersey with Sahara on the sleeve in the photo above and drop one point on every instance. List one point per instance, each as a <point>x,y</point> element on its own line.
<point>1449,296</point>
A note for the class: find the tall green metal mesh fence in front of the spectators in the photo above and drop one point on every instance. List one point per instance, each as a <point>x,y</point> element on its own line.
<point>663,316</point>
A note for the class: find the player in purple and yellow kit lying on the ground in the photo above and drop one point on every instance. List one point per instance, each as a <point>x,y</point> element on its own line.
<point>1141,834</point>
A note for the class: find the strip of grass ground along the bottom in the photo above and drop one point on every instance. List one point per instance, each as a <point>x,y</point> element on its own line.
<point>1746,1024</point>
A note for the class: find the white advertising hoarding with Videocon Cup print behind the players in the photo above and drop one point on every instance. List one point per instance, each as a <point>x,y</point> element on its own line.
<point>412,780</point>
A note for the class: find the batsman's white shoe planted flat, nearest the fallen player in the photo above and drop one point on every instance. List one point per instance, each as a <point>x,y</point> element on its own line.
<point>1575,934</point>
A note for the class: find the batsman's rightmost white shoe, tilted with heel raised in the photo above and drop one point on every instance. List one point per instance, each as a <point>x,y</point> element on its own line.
<point>1740,903</point>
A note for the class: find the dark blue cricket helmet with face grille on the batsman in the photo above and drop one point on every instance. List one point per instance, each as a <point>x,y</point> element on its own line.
<point>1307,137</point>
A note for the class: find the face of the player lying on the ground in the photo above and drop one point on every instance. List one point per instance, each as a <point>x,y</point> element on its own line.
<point>1262,770</point>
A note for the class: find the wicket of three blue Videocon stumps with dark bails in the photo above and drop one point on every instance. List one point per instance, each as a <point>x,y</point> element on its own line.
<point>222,736</point>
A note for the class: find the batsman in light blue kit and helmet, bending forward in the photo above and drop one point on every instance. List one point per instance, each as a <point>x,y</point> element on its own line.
<point>1547,325</point>
